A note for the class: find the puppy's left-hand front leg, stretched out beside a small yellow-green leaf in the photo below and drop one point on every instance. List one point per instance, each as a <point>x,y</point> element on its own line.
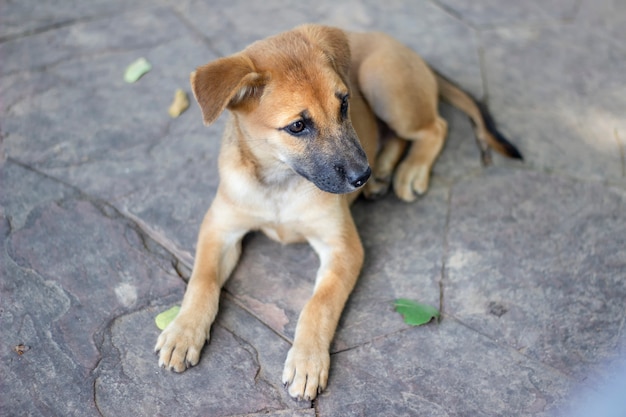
<point>217,253</point>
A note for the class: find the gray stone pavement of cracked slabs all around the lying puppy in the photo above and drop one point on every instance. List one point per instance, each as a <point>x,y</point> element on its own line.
<point>102,193</point>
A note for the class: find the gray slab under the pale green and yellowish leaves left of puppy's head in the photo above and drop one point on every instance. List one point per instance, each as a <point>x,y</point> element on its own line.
<point>92,129</point>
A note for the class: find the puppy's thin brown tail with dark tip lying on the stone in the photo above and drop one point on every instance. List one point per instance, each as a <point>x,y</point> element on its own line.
<point>487,134</point>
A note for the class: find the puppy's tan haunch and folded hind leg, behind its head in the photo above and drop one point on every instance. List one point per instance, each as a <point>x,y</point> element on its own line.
<point>402,91</point>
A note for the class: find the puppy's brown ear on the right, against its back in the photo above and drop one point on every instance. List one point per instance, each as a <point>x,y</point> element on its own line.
<point>334,42</point>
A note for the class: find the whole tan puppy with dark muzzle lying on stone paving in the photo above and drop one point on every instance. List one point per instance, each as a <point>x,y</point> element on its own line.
<point>305,109</point>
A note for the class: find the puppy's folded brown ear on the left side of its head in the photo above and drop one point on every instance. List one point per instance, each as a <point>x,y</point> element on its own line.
<point>226,82</point>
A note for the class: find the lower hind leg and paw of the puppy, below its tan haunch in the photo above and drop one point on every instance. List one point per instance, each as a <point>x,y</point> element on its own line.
<point>413,173</point>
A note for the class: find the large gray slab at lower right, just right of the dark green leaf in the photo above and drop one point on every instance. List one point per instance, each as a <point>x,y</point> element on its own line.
<point>541,267</point>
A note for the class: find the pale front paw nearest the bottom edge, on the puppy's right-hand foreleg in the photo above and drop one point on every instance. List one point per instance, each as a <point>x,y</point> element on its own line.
<point>306,372</point>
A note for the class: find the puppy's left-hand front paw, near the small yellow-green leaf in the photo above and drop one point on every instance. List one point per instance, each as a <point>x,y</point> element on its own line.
<point>179,345</point>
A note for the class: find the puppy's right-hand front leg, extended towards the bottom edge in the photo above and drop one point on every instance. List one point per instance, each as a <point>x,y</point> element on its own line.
<point>308,361</point>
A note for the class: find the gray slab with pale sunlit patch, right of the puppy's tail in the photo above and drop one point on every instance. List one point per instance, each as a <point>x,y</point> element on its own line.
<point>567,112</point>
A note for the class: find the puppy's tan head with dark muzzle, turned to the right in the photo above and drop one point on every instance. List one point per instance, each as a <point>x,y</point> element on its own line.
<point>290,96</point>
